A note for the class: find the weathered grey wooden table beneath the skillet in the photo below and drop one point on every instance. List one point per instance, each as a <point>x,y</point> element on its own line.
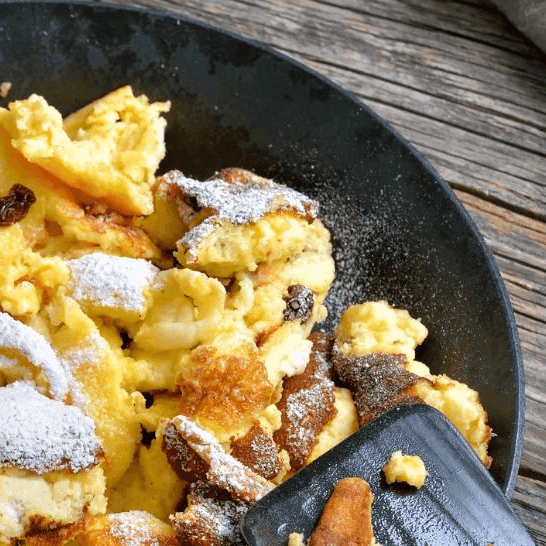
<point>459,82</point>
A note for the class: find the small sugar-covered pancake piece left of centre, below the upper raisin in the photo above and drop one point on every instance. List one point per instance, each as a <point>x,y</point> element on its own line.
<point>114,282</point>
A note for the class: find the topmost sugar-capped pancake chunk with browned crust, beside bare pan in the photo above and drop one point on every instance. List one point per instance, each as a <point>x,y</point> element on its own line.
<point>238,219</point>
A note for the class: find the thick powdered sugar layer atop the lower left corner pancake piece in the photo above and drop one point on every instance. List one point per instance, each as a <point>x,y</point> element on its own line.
<point>41,435</point>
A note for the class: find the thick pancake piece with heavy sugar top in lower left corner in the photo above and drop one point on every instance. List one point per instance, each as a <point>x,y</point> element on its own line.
<point>49,456</point>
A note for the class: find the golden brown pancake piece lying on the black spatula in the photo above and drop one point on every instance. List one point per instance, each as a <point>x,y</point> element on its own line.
<point>347,516</point>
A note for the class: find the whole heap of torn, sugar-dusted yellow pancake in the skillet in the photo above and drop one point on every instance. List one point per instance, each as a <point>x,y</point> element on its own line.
<point>159,368</point>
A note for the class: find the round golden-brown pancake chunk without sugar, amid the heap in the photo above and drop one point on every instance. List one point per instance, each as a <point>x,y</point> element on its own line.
<point>226,386</point>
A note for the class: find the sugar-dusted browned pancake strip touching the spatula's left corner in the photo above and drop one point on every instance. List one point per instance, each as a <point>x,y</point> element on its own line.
<point>196,454</point>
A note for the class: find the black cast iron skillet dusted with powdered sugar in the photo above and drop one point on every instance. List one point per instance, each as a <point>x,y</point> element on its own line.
<point>398,231</point>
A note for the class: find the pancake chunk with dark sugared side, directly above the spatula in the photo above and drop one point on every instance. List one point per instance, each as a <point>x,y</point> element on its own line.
<point>375,326</point>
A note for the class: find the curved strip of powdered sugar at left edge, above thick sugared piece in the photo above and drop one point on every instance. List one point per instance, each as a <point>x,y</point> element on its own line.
<point>25,342</point>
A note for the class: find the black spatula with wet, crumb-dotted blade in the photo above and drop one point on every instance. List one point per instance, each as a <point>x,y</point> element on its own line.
<point>460,504</point>
